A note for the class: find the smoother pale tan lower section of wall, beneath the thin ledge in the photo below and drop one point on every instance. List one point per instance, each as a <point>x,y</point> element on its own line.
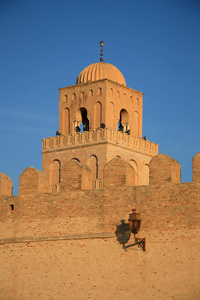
<point>100,269</point>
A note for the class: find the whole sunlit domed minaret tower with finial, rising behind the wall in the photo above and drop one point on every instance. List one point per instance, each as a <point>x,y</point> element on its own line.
<point>100,118</point>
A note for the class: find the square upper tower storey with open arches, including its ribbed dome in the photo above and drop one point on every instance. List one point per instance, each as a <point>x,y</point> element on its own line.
<point>100,96</point>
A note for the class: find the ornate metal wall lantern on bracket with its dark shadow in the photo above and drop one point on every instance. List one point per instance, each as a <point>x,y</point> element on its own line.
<point>123,231</point>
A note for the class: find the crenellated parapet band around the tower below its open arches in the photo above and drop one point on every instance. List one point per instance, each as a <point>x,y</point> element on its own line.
<point>99,136</point>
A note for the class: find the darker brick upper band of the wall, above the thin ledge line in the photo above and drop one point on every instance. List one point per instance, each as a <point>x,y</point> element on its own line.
<point>165,206</point>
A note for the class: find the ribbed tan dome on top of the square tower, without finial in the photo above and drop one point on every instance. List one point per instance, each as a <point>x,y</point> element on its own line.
<point>99,71</point>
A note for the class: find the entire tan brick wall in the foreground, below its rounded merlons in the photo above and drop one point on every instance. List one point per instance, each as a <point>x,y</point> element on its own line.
<point>64,245</point>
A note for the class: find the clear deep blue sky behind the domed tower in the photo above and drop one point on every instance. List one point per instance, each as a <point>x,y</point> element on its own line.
<point>45,44</point>
